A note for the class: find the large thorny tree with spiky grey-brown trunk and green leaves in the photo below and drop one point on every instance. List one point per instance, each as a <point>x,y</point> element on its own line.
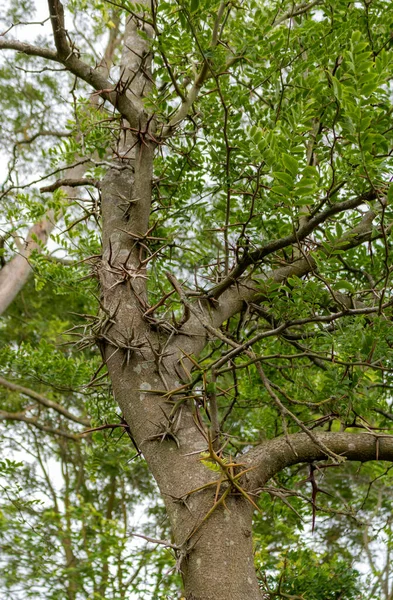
<point>242,154</point>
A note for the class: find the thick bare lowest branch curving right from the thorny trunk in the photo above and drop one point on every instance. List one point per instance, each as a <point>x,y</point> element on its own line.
<point>269,458</point>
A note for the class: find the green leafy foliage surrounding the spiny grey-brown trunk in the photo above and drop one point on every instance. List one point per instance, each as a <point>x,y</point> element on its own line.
<point>291,126</point>
